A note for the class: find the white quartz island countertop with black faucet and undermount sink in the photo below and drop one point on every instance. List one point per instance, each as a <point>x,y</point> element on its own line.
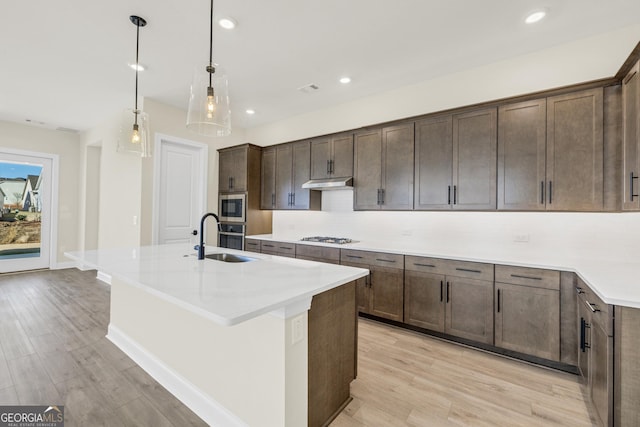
<point>228,293</point>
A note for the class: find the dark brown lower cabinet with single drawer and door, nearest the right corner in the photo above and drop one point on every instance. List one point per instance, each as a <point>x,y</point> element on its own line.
<point>527,317</point>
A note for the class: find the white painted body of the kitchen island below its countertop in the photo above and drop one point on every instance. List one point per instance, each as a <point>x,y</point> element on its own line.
<point>249,369</point>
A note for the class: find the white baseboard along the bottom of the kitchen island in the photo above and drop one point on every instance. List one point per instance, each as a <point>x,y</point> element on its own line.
<point>204,406</point>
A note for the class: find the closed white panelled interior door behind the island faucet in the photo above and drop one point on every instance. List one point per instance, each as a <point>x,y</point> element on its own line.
<point>181,191</point>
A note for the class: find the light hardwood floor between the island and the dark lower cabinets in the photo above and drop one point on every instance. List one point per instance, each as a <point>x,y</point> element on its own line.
<point>408,379</point>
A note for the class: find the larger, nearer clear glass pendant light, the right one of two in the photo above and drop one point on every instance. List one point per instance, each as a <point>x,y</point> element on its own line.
<point>209,112</point>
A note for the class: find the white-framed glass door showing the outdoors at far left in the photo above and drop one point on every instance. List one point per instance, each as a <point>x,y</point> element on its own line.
<point>25,211</point>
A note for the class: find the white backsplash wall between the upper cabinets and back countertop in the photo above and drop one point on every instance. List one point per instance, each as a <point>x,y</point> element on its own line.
<point>612,236</point>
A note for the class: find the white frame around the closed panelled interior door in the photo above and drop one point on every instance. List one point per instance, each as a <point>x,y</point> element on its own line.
<point>203,171</point>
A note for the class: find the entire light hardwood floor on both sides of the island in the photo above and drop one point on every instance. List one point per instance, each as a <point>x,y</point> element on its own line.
<point>53,351</point>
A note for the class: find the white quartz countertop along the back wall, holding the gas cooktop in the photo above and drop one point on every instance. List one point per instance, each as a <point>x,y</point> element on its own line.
<point>615,282</point>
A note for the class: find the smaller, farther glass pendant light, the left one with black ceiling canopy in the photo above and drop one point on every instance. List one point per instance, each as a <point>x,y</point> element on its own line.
<point>134,132</point>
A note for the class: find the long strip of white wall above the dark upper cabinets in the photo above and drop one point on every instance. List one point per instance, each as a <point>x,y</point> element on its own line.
<point>581,61</point>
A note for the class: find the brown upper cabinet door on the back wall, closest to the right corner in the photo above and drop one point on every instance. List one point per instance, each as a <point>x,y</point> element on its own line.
<point>575,150</point>
